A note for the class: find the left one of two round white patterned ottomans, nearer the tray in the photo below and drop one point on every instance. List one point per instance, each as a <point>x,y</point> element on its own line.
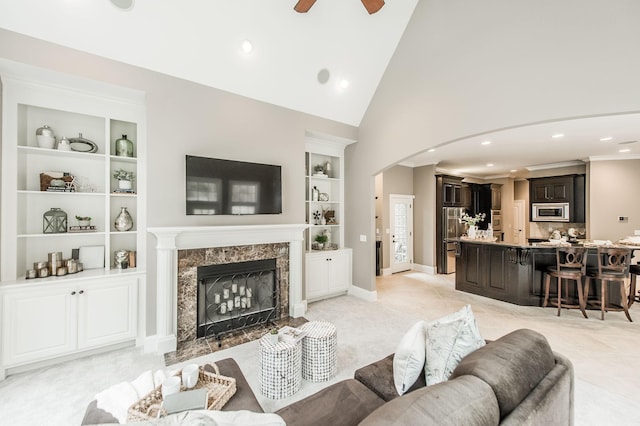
<point>280,368</point>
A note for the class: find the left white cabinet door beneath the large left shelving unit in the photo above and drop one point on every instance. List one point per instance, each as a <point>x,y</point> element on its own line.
<point>38,323</point>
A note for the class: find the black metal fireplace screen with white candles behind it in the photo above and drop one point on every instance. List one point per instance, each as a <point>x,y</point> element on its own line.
<point>235,296</point>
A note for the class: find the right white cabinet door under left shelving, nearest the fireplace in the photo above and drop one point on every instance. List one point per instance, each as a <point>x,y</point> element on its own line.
<point>107,312</point>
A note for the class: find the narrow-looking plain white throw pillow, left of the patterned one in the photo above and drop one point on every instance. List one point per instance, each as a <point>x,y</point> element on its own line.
<point>408,361</point>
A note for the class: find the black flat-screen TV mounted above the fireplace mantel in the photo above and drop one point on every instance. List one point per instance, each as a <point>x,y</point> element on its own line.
<point>226,187</point>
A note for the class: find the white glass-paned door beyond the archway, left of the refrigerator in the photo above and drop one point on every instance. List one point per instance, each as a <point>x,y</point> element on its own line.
<point>401,224</point>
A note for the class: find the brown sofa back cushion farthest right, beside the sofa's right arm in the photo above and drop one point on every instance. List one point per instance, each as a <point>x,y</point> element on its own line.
<point>512,365</point>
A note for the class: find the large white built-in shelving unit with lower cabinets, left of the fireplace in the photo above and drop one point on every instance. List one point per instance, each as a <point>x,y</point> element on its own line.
<point>100,113</point>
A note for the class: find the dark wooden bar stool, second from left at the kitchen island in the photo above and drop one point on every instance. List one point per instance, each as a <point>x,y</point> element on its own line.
<point>613,266</point>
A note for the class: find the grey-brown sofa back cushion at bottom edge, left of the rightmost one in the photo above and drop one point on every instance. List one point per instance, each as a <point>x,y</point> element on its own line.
<point>465,401</point>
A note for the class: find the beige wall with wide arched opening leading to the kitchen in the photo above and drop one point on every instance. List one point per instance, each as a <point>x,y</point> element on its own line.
<point>465,67</point>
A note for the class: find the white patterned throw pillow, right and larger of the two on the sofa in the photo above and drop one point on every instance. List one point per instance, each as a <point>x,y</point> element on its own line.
<point>449,339</point>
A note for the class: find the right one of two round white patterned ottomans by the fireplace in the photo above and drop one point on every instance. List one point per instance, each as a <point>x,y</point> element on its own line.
<point>319,351</point>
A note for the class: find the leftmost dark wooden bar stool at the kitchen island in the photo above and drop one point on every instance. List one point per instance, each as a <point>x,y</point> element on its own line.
<point>571,264</point>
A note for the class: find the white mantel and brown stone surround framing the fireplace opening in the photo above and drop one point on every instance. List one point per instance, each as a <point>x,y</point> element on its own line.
<point>180,250</point>
